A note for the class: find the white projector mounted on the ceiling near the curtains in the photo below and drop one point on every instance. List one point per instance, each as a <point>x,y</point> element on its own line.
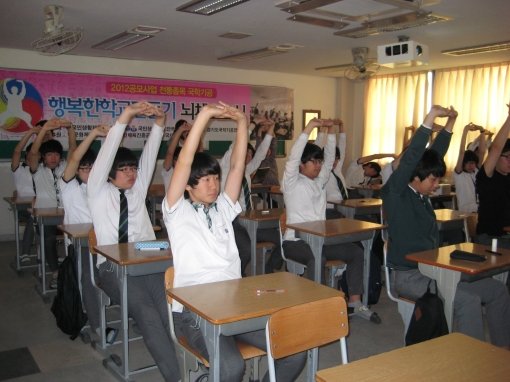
<point>404,53</point>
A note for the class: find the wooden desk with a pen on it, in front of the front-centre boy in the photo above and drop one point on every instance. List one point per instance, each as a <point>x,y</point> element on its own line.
<point>233,307</point>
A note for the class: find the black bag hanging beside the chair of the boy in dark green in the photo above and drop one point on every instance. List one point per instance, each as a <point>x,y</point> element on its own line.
<point>428,320</point>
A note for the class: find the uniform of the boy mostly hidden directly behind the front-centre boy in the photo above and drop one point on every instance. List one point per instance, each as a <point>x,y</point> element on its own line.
<point>264,234</point>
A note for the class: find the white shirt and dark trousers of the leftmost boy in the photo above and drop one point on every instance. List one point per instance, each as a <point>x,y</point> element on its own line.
<point>25,189</point>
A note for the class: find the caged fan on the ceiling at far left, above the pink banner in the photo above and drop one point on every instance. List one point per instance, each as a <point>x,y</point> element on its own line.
<point>56,39</point>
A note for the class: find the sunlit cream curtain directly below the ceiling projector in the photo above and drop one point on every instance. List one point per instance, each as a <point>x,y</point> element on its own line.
<point>393,102</point>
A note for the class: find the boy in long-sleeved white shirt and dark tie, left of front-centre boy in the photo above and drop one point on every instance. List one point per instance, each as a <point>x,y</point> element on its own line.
<point>118,182</point>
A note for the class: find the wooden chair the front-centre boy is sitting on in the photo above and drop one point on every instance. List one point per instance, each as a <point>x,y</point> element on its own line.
<point>192,359</point>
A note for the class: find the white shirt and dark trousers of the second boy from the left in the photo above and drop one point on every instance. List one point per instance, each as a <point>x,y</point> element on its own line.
<point>48,196</point>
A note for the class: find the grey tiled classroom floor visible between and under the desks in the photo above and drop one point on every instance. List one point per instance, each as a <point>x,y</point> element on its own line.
<point>26,321</point>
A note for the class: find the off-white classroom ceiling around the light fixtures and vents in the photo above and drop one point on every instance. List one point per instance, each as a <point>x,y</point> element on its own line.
<point>193,39</point>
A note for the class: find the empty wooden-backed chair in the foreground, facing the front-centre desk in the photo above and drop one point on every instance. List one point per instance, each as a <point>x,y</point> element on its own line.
<point>304,327</point>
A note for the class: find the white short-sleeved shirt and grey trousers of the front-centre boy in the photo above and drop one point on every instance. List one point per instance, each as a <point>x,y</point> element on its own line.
<point>204,250</point>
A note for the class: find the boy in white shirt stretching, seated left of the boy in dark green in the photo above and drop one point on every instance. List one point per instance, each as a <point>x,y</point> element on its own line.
<point>306,173</point>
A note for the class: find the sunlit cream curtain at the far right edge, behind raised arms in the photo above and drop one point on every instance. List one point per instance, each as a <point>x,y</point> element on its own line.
<point>478,93</point>
